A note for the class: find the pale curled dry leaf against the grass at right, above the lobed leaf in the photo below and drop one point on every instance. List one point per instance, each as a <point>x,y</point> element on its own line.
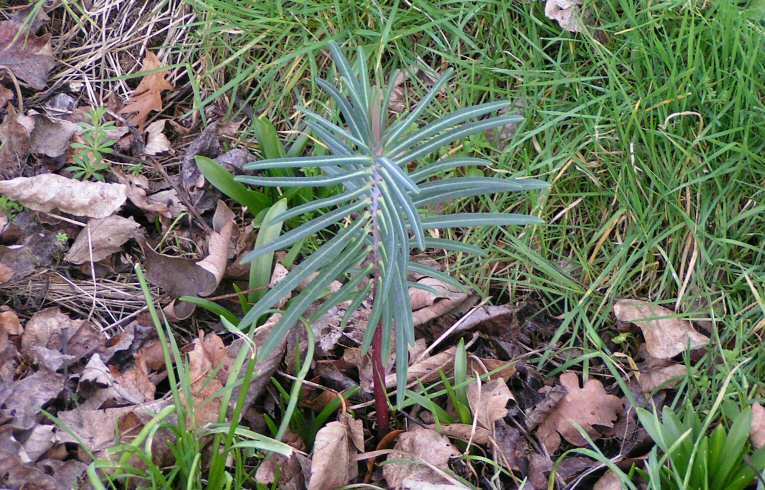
<point>665,335</point>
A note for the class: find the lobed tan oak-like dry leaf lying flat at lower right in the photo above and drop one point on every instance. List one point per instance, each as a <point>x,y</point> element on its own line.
<point>588,406</point>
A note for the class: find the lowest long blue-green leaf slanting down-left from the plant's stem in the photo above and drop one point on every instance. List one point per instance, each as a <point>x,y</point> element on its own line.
<point>308,296</point>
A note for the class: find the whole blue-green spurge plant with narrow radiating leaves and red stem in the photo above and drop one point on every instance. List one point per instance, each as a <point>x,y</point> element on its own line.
<point>381,214</point>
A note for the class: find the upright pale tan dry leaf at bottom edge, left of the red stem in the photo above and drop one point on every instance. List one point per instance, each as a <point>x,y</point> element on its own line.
<point>332,465</point>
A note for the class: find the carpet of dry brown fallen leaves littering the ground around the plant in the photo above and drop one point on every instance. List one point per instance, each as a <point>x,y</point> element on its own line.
<point>188,242</point>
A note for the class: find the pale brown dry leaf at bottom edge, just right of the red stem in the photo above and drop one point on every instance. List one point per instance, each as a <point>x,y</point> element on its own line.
<point>405,468</point>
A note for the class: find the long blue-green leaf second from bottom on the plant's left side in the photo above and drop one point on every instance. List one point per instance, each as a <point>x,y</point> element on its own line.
<point>315,261</point>
